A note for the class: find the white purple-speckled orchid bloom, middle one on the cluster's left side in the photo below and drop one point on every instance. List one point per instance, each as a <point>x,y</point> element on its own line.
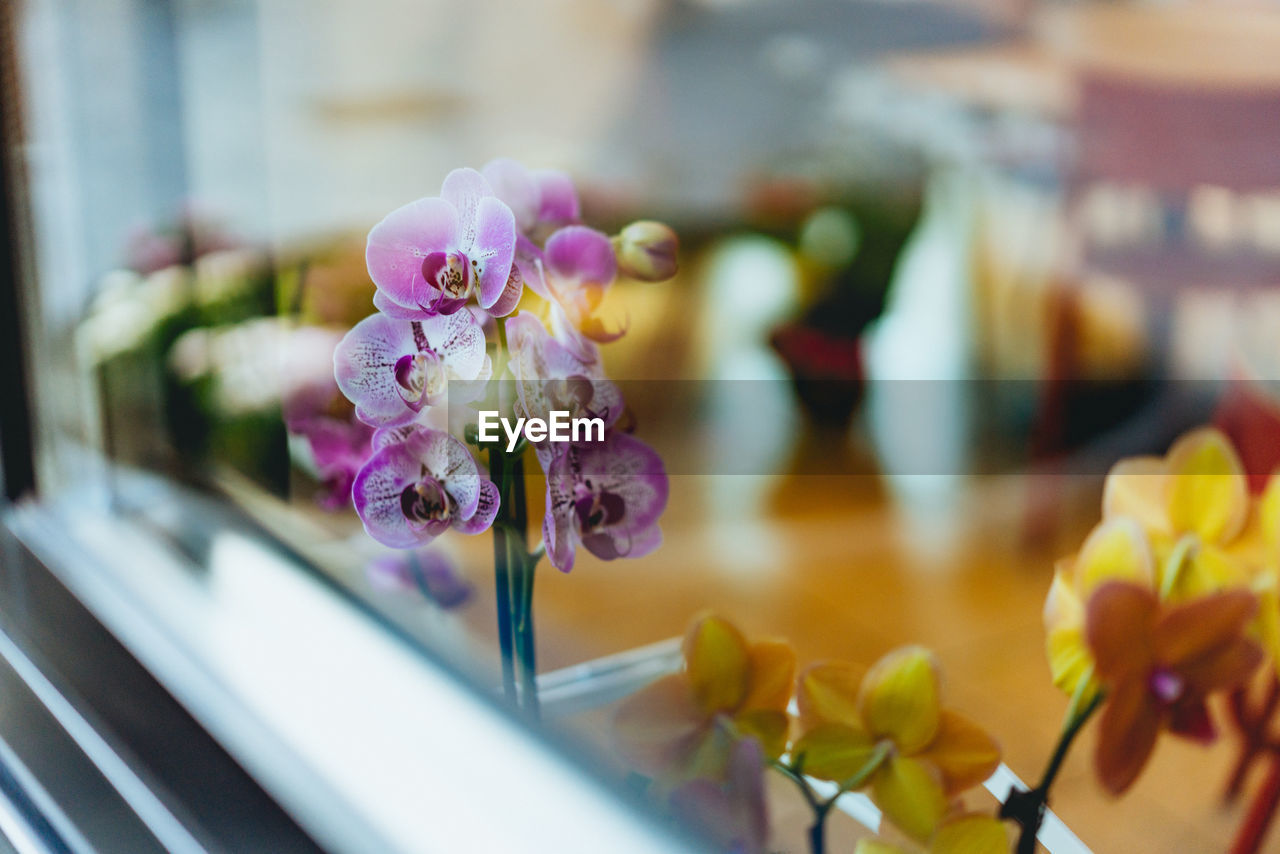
<point>392,368</point>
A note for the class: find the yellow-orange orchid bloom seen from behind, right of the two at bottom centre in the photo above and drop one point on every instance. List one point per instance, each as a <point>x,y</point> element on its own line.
<point>888,730</point>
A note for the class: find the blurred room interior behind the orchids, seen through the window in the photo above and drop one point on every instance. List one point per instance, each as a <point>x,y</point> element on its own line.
<point>943,264</point>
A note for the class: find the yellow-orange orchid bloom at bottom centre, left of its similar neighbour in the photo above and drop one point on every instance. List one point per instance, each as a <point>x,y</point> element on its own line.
<point>675,728</point>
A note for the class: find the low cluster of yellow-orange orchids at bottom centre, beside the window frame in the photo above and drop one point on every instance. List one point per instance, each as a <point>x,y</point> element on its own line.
<point>883,730</point>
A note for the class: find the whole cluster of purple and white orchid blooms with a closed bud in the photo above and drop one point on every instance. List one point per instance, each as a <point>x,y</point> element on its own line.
<point>497,275</point>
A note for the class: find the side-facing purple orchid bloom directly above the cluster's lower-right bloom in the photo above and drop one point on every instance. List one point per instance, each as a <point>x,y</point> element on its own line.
<point>550,378</point>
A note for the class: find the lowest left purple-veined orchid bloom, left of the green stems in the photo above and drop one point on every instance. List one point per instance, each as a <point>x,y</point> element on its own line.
<point>419,485</point>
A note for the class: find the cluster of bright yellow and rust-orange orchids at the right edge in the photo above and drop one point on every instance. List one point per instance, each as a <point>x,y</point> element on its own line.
<point>1171,600</point>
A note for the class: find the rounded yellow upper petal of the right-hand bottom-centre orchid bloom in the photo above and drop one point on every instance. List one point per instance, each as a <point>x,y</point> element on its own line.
<point>900,698</point>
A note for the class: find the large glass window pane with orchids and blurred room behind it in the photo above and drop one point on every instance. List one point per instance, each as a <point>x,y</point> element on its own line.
<point>866,300</point>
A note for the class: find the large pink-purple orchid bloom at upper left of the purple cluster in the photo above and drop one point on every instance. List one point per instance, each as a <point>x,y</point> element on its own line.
<point>429,257</point>
